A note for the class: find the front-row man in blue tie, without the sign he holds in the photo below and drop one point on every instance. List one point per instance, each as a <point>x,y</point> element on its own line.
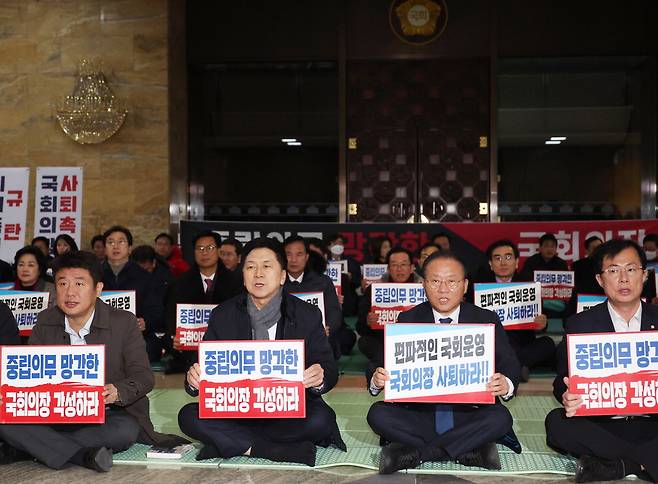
<point>420,431</point>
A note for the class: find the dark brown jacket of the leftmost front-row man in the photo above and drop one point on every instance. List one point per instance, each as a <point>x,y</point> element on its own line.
<point>126,363</point>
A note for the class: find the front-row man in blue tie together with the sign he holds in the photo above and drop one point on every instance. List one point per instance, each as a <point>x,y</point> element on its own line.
<point>465,432</point>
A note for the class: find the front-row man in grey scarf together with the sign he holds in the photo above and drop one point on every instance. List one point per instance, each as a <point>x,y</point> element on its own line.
<point>265,313</point>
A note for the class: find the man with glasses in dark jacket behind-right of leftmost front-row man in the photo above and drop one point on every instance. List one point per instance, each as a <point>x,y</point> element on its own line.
<point>122,274</point>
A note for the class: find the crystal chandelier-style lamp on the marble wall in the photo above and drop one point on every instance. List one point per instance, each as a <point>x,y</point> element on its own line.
<point>91,113</point>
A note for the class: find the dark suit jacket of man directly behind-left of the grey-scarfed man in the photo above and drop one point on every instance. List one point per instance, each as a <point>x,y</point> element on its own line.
<point>189,289</point>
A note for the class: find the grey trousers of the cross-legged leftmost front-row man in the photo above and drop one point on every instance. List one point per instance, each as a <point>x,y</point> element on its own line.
<point>55,445</point>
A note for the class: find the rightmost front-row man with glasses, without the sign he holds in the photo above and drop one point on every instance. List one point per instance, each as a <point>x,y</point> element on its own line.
<point>608,448</point>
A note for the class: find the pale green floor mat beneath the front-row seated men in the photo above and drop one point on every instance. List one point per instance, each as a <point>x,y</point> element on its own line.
<point>351,408</point>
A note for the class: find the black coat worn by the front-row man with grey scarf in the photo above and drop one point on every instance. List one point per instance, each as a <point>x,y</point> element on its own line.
<point>299,320</point>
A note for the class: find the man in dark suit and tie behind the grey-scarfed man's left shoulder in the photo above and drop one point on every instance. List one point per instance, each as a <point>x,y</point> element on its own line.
<point>207,282</point>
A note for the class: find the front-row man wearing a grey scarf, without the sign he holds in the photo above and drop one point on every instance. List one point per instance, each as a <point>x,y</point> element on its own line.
<point>286,318</point>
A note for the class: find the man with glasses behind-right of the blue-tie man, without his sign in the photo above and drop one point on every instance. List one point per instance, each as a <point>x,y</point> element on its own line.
<point>531,348</point>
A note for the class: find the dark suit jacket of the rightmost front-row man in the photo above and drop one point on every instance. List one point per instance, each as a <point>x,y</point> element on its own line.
<point>594,320</point>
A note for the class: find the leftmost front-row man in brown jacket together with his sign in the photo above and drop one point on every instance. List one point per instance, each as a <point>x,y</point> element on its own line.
<point>78,319</point>
